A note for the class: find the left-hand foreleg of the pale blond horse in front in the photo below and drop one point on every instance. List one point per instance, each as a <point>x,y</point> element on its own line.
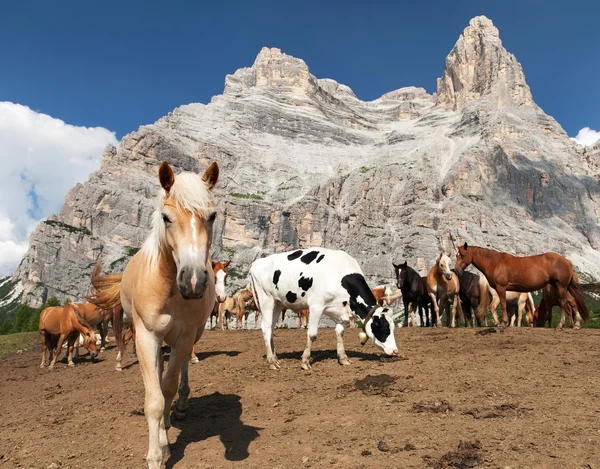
<point>149,356</point>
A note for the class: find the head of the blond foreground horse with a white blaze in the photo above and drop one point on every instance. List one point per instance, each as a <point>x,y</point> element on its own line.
<point>188,213</point>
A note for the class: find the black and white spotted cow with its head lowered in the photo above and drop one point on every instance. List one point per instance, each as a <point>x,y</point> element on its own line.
<point>322,281</point>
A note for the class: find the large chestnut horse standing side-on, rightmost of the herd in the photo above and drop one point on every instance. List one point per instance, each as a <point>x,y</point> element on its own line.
<point>524,274</point>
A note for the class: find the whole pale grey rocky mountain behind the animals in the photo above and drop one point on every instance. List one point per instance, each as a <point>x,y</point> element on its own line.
<point>304,162</point>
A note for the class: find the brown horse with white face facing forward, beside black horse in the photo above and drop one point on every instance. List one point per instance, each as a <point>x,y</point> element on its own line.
<point>443,287</point>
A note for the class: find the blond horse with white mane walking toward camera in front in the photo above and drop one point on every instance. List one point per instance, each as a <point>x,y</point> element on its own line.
<point>168,288</point>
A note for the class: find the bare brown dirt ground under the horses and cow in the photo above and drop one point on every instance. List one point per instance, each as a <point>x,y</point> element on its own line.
<point>517,398</point>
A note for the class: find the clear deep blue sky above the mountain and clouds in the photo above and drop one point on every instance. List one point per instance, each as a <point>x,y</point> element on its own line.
<point>123,64</point>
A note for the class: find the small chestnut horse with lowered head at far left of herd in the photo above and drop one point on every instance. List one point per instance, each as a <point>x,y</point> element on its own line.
<point>59,324</point>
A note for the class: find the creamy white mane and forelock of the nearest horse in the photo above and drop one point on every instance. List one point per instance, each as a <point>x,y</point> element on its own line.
<point>189,192</point>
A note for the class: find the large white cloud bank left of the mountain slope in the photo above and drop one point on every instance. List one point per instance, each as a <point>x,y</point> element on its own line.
<point>41,159</point>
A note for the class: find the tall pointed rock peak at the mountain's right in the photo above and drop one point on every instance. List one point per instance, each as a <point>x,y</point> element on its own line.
<point>479,66</point>
